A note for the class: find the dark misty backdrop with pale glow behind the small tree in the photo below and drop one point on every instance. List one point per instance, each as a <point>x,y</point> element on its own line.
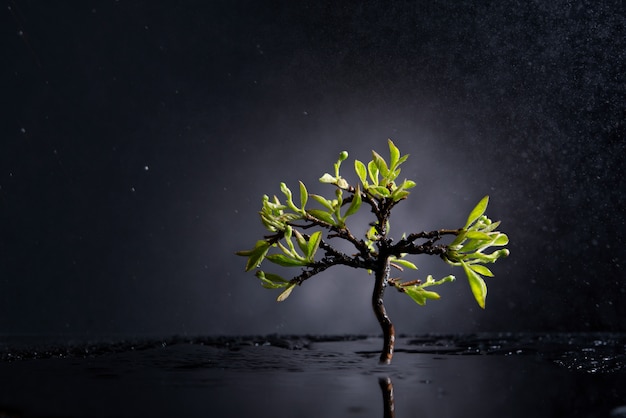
<point>138,138</point>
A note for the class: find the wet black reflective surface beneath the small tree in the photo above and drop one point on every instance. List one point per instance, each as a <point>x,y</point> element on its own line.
<point>485,375</point>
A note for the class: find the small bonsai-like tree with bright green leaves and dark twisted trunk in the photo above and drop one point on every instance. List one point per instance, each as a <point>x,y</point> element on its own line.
<point>376,252</point>
